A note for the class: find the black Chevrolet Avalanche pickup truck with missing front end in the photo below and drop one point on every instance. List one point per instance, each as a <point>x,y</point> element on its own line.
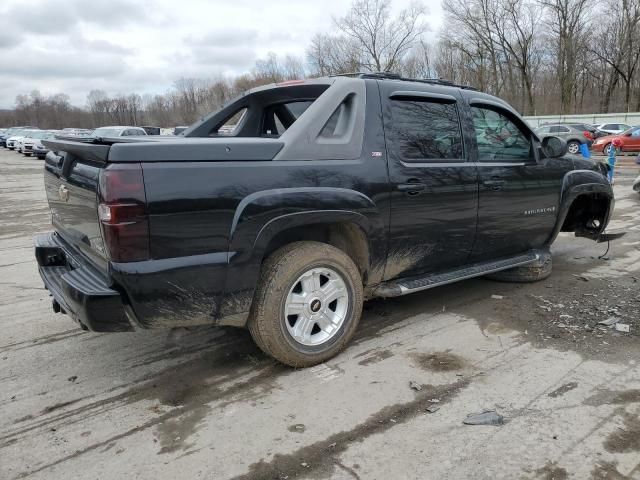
<point>295,202</point>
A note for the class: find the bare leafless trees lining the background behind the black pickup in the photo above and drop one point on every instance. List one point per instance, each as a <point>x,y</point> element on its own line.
<point>542,56</point>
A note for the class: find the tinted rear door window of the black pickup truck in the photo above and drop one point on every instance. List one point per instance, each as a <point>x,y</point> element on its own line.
<point>426,130</point>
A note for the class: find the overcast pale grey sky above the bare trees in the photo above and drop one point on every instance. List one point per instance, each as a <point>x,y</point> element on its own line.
<point>143,46</point>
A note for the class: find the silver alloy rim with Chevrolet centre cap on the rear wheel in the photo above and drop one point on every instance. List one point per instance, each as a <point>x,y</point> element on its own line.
<point>316,306</point>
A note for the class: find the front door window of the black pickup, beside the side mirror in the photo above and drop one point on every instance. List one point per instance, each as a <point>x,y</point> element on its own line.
<point>499,138</point>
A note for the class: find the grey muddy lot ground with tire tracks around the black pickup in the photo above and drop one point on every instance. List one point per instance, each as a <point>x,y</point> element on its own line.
<point>207,404</point>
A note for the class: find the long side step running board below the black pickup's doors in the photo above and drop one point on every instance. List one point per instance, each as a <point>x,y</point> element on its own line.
<point>405,286</point>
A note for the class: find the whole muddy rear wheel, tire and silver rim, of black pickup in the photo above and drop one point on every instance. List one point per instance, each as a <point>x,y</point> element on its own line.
<point>280,335</point>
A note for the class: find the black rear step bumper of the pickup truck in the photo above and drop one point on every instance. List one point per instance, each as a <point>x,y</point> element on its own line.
<point>78,289</point>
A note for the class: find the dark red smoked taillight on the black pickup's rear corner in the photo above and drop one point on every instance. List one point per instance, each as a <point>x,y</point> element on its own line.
<point>122,212</point>
